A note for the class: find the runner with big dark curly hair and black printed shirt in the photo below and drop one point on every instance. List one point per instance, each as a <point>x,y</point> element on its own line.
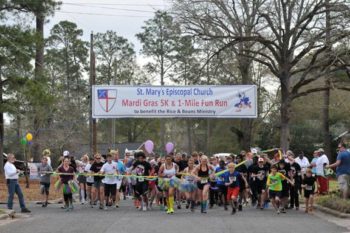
<point>142,168</point>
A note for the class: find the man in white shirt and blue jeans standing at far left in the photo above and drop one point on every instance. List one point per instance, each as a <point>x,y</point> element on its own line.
<point>11,174</point>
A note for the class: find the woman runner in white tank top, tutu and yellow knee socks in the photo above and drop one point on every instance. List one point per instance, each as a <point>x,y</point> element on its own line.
<point>169,181</point>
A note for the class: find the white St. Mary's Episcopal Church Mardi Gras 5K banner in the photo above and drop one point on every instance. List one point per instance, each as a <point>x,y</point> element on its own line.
<point>174,101</point>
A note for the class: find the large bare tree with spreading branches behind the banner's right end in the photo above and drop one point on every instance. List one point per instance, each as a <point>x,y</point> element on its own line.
<point>290,31</point>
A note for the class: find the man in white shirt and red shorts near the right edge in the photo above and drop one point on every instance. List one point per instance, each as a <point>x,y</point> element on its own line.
<point>321,162</point>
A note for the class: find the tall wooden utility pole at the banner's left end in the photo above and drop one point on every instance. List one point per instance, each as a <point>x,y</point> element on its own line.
<point>92,121</point>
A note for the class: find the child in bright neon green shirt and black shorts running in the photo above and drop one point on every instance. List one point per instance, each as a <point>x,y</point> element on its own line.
<point>274,183</point>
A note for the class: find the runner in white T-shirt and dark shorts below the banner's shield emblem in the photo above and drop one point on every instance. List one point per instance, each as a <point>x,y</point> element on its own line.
<point>110,181</point>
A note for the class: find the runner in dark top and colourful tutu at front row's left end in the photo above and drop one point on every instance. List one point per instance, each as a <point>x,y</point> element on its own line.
<point>65,179</point>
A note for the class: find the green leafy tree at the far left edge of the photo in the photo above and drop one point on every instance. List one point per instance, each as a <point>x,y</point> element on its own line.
<point>16,48</point>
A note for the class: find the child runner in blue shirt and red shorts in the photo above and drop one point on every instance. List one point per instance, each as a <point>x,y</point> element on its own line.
<point>232,181</point>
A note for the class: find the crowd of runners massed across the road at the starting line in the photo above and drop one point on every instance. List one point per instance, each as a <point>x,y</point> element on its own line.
<point>192,182</point>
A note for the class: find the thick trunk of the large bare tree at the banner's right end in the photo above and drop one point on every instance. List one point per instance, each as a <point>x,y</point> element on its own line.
<point>285,112</point>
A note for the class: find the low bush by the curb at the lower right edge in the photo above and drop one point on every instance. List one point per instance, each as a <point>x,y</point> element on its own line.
<point>334,202</point>
